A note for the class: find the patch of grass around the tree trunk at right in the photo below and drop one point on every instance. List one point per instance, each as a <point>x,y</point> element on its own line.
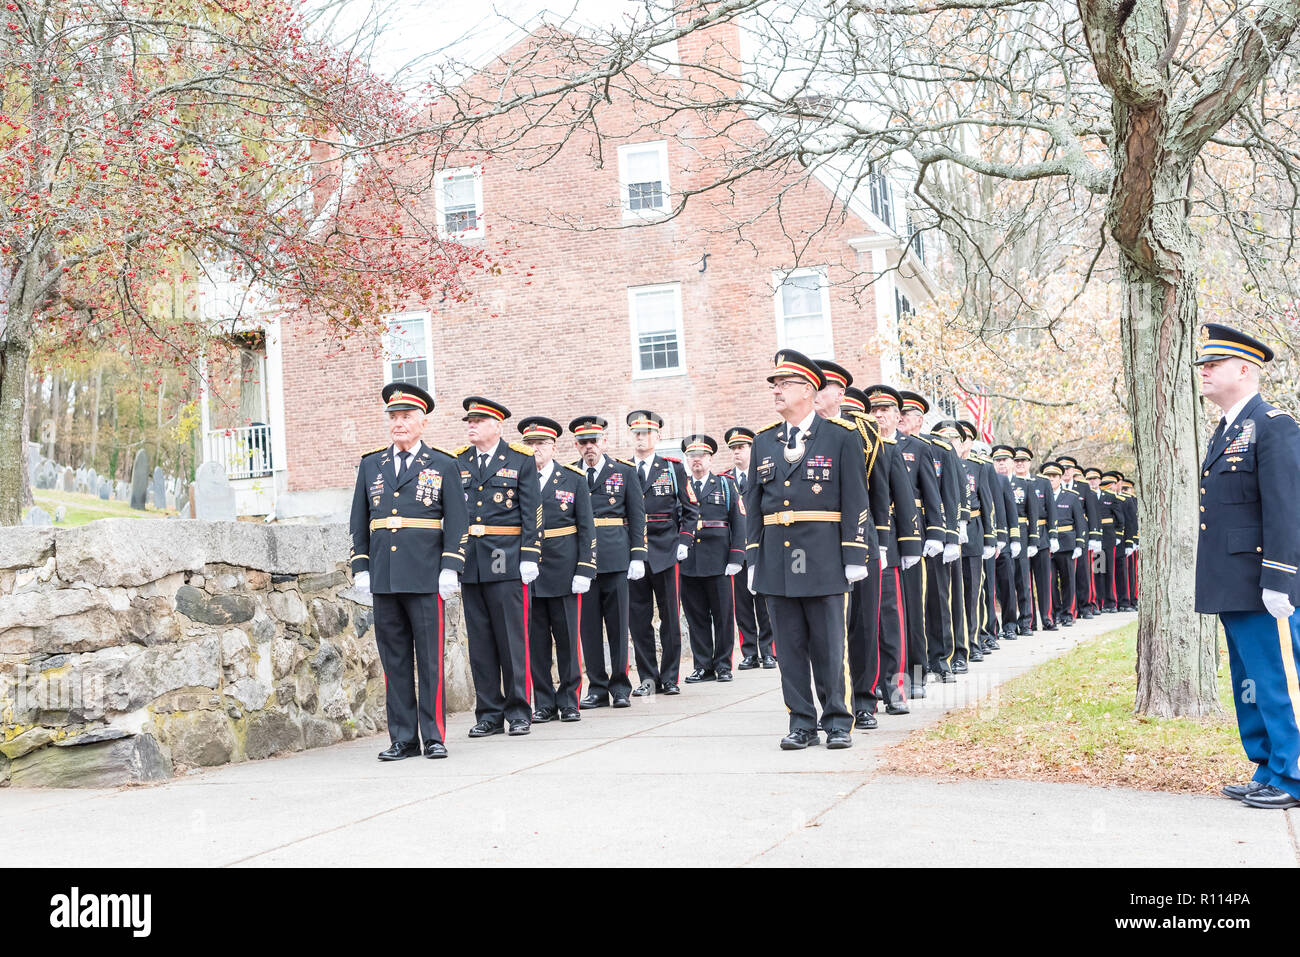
<point>1072,720</point>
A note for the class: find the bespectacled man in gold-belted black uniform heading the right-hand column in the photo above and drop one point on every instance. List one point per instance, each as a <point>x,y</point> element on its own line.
<point>809,523</point>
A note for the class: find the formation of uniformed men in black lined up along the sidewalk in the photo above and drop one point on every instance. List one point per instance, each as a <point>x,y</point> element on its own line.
<point>916,549</point>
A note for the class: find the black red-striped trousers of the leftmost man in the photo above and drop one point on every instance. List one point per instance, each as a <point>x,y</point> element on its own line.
<point>409,634</point>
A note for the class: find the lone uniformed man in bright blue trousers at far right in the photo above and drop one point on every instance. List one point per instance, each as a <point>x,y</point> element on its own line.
<point>1247,560</point>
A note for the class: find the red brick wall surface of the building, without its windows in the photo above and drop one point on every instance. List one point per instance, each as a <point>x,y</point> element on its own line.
<point>561,345</point>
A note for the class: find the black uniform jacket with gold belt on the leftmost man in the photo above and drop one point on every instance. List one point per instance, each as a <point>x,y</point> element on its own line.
<point>408,530</point>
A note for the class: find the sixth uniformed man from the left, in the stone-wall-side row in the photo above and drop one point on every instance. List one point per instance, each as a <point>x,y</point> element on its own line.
<point>716,556</point>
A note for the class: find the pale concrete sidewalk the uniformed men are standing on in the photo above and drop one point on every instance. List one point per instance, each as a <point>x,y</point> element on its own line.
<point>695,780</point>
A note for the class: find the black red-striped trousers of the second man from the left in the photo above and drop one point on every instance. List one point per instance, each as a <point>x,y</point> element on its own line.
<point>497,630</point>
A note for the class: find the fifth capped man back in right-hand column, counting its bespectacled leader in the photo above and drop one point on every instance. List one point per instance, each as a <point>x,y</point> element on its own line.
<point>918,456</point>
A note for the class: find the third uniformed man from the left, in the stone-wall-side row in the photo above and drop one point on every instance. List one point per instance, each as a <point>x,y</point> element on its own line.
<point>566,571</point>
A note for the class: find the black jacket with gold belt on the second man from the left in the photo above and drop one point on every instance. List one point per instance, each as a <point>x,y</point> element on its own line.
<point>504,496</point>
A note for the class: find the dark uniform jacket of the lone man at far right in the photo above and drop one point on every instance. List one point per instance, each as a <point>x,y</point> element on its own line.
<point>1242,551</point>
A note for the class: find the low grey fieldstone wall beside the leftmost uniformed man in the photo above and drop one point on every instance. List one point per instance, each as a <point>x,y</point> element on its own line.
<point>132,649</point>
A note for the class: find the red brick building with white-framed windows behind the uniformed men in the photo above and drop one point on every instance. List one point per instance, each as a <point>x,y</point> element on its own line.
<point>606,302</point>
